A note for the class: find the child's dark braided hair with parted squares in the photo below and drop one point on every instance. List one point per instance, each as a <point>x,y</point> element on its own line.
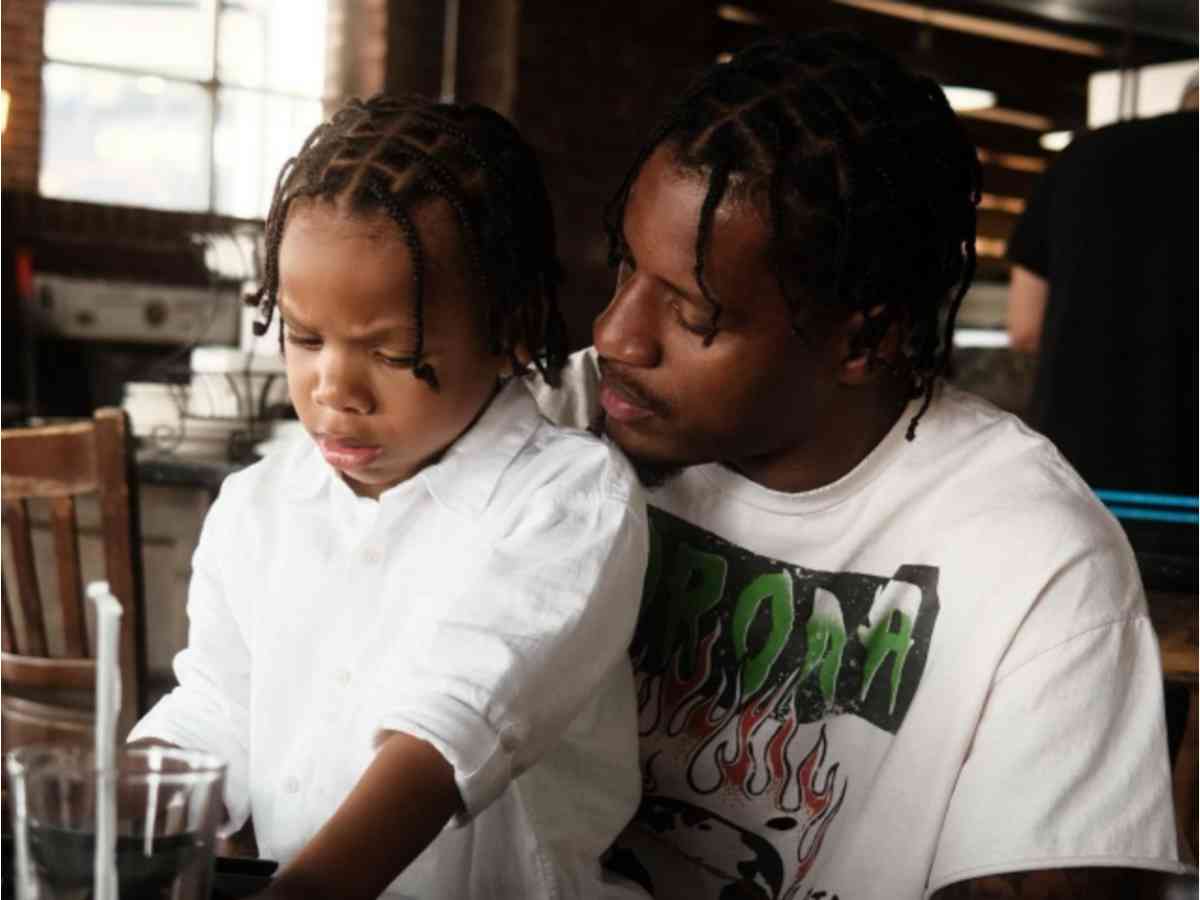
<point>397,155</point>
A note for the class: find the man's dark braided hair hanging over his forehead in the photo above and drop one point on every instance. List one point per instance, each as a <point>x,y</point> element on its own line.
<point>868,177</point>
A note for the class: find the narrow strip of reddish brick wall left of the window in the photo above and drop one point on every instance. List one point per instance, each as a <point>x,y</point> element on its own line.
<point>22,77</point>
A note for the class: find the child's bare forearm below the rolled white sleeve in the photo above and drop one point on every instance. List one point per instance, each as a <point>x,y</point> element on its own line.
<point>398,808</point>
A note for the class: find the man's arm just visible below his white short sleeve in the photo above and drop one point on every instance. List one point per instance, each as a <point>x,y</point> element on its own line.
<point>1059,885</point>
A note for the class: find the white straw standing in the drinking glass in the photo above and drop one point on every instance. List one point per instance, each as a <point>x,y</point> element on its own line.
<point>109,706</point>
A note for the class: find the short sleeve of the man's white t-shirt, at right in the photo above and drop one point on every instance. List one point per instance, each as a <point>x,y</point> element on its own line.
<point>1069,765</point>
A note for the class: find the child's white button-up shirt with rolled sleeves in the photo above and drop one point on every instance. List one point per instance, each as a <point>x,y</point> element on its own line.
<point>485,605</point>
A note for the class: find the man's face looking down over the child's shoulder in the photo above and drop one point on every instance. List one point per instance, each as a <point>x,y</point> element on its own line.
<point>759,398</point>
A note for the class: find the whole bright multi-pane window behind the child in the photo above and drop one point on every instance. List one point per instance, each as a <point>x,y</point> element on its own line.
<point>183,105</point>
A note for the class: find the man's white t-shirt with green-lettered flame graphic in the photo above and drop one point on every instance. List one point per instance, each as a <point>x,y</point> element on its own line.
<point>935,669</point>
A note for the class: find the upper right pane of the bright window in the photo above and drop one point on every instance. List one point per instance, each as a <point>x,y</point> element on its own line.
<point>279,45</point>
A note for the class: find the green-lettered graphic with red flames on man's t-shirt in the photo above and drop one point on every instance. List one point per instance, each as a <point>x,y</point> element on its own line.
<point>745,668</point>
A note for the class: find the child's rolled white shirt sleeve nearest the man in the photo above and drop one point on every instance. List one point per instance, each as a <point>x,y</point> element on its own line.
<point>525,633</point>
